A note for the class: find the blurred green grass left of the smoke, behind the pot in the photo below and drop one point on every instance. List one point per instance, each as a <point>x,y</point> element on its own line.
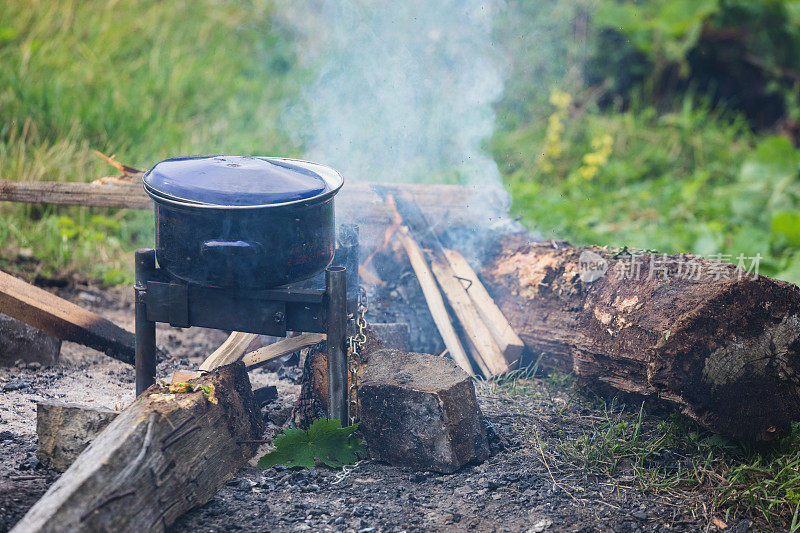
<point>143,80</point>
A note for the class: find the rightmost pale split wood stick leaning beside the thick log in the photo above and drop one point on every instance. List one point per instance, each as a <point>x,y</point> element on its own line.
<point>503,334</point>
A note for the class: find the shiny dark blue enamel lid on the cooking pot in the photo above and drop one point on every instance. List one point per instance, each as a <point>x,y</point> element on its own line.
<point>231,180</point>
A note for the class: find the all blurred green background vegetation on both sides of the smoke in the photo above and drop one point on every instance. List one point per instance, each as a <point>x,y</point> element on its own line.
<point>620,136</point>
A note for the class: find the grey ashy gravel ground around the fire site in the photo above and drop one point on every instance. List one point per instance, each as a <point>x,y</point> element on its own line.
<point>524,486</point>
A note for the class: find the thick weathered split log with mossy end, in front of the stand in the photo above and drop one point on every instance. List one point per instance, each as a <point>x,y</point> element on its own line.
<point>163,455</point>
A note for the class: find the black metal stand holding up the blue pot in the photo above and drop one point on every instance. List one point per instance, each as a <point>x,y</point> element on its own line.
<point>161,298</point>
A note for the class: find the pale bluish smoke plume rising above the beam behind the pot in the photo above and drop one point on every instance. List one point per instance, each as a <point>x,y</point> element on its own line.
<point>400,91</point>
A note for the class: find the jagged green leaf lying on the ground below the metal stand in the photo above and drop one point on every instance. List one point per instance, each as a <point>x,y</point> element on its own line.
<point>326,441</point>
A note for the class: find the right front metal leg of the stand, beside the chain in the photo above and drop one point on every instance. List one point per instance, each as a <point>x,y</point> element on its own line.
<point>336,289</point>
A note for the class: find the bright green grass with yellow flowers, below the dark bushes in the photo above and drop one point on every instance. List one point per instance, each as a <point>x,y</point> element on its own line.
<point>694,179</point>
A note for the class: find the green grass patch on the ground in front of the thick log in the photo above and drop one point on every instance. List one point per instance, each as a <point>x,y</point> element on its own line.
<point>679,457</point>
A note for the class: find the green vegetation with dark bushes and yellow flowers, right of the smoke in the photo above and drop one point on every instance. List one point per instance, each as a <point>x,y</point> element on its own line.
<point>646,151</point>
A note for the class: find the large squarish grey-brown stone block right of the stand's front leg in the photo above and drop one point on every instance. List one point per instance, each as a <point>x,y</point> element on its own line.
<point>420,410</point>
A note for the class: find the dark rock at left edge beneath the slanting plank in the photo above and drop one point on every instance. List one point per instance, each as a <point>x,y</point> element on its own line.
<point>19,341</point>
